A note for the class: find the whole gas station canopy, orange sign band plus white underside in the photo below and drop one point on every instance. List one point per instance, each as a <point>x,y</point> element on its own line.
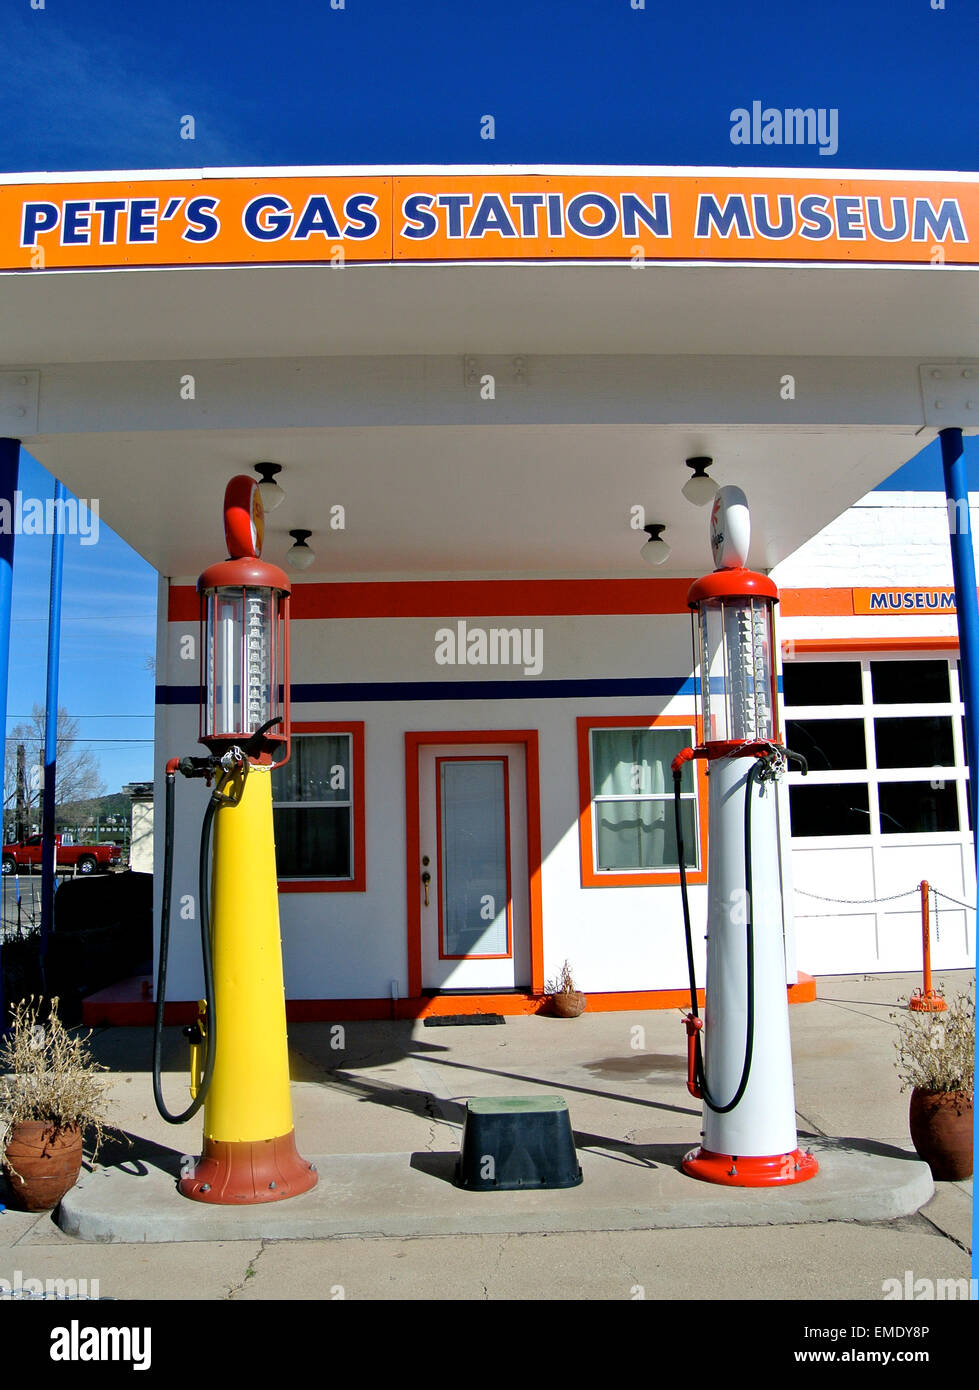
<point>486,370</point>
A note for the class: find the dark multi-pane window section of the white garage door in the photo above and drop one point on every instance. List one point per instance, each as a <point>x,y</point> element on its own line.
<point>884,740</point>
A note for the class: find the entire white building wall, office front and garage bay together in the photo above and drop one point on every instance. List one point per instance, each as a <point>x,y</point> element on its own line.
<point>354,945</point>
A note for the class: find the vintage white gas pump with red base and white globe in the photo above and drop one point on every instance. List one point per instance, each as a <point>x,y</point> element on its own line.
<point>745,1074</point>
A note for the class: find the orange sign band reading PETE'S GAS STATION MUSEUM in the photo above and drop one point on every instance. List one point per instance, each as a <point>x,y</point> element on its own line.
<point>471,218</point>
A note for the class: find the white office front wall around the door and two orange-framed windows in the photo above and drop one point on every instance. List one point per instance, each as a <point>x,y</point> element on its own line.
<point>355,945</point>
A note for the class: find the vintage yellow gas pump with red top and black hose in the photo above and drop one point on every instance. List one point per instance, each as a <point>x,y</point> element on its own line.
<point>240,1065</point>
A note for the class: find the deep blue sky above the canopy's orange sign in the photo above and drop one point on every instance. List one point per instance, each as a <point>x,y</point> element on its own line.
<point>105,84</point>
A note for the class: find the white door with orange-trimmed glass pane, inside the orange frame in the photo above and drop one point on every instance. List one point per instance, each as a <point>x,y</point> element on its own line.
<point>474,849</point>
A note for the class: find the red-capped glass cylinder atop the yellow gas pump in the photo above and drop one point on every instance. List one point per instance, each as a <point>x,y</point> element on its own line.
<point>245,679</point>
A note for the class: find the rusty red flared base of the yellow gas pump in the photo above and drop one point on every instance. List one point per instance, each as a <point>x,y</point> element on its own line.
<point>241,1174</point>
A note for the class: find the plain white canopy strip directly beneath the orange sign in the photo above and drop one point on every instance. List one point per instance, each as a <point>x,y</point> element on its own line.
<point>294,311</point>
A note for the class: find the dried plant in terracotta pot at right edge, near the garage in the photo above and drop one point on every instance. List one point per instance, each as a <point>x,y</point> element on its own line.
<point>937,1060</point>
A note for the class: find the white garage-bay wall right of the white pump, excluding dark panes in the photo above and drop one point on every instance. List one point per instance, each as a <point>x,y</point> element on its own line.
<point>893,540</point>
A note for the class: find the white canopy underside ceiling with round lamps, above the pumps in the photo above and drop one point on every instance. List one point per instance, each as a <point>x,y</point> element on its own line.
<point>482,500</point>
